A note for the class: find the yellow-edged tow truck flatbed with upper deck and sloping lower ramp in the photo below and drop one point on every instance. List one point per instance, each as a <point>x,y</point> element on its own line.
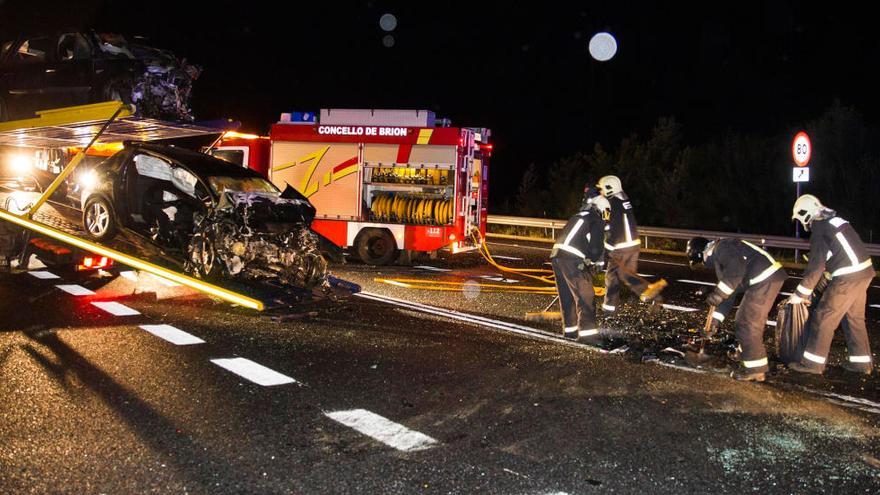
<point>84,126</point>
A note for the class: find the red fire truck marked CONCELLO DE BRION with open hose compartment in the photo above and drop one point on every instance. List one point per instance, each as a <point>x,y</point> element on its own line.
<point>384,182</point>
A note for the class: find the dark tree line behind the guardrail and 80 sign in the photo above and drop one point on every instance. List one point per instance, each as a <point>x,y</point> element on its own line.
<point>735,182</point>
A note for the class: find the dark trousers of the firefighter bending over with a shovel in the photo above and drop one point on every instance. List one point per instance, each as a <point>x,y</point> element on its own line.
<point>751,321</point>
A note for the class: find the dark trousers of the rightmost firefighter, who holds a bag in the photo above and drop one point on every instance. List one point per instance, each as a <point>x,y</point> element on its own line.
<point>842,303</point>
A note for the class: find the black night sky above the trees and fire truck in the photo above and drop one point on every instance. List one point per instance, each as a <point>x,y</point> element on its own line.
<point>521,69</point>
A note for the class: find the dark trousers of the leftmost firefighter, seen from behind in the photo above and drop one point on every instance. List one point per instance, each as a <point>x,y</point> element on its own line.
<point>576,297</point>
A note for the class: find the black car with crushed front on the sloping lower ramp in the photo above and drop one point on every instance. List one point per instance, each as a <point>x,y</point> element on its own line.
<point>218,219</point>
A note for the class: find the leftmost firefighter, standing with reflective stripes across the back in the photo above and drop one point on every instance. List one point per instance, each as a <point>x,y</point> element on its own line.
<point>577,252</point>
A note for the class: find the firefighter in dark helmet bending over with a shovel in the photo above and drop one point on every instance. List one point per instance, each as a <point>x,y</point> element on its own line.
<point>741,268</point>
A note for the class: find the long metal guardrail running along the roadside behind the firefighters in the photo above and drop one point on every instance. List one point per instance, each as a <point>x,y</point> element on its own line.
<point>772,241</point>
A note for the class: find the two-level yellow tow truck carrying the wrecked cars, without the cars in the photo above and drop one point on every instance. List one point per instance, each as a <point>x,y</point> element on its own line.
<point>34,222</point>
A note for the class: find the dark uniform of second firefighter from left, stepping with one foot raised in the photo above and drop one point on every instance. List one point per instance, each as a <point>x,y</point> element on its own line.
<point>622,245</point>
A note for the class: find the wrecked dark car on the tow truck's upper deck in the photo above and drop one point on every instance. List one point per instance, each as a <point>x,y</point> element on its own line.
<point>72,67</point>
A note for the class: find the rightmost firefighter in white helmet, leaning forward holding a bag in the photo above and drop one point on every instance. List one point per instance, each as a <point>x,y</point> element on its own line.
<point>835,248</point>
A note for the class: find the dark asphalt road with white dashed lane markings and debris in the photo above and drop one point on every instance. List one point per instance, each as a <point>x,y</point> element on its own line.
<point>367,396</point>
